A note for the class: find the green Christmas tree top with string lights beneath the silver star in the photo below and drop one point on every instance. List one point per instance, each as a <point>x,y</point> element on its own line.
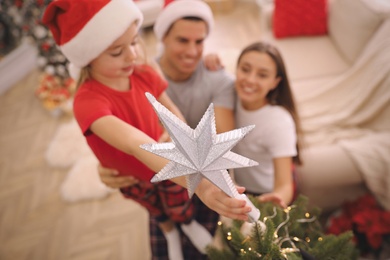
<point>291,233</point>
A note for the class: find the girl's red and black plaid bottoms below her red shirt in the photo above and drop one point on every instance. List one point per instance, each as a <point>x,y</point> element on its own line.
<point>165,199</point>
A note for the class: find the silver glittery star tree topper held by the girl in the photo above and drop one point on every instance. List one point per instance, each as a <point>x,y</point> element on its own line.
<point>200,153</point>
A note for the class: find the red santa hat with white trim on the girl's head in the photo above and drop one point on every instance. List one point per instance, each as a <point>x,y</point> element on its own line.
<point>83,29</point>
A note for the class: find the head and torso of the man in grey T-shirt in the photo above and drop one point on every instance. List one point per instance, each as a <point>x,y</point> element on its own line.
<point>191,86</point>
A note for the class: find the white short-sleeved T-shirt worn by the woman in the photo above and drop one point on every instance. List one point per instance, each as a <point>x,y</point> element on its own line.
<point>274,136</point>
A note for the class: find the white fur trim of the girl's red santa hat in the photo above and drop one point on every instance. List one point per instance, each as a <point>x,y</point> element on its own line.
<point>101,31</point>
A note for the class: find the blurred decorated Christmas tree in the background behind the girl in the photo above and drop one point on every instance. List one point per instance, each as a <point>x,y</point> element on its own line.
<point>22,22</point>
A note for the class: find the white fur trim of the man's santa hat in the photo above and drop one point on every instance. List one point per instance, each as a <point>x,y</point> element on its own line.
<point>179,9</point>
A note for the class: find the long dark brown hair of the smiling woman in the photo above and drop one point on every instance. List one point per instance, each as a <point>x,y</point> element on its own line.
<point>281,95</point>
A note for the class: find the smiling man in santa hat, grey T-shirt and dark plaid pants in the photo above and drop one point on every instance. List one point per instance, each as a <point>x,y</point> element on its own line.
<point>182,27</point>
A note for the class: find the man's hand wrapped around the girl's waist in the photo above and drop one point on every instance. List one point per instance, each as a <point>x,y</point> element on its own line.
<point>111,179</point>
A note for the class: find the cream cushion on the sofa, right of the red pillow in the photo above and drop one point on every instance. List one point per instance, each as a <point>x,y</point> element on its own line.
<point>351,24</point>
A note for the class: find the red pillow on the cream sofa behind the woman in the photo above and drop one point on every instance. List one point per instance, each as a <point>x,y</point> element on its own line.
<point>299,18</point>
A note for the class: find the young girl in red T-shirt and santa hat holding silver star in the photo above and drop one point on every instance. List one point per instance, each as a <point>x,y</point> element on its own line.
<point>100,40</point>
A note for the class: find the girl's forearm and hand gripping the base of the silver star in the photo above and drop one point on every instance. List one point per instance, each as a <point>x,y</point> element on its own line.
<point>221,203</point>
